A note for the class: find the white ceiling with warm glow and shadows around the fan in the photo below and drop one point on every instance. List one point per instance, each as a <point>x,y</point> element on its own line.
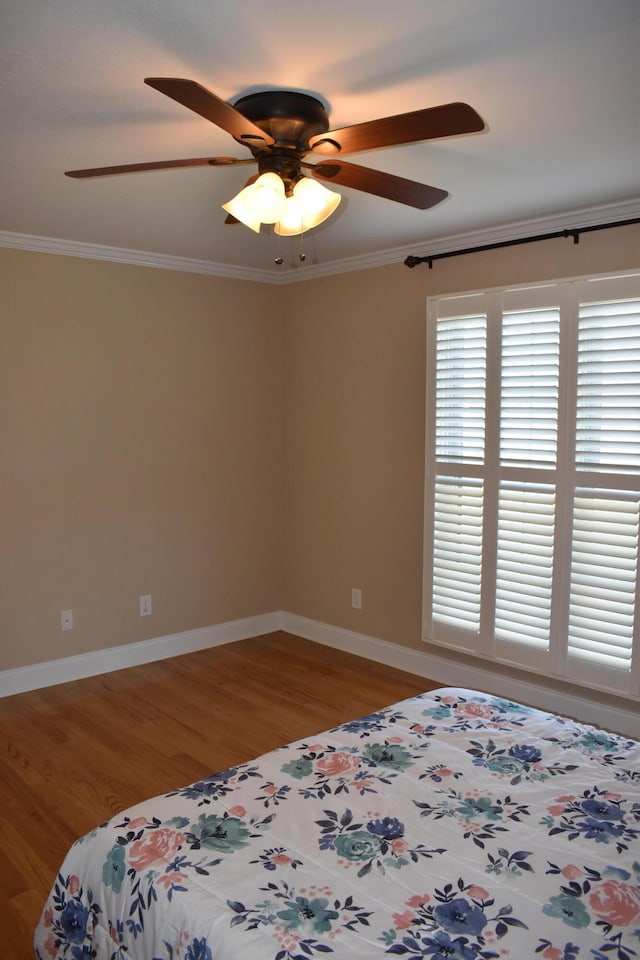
<point>556,81</point>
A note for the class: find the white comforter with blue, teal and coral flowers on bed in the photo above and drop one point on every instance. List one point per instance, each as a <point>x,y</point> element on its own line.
<point>452,825</point>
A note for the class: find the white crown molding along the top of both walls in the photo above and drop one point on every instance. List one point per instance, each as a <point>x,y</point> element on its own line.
<point>571,219</point>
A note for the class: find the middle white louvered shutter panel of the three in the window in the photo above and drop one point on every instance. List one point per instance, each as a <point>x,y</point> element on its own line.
<point>529,386</point>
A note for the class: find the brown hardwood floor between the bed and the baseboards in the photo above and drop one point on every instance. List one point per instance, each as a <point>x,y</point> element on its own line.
<point>73,755</point>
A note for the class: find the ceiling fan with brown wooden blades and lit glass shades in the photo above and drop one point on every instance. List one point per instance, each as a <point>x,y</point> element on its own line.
<point>282,127</point>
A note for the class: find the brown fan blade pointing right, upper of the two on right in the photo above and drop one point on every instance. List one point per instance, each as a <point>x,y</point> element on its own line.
<point>447,120</point>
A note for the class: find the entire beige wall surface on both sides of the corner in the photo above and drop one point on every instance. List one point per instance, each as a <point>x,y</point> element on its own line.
<point>230,447</point>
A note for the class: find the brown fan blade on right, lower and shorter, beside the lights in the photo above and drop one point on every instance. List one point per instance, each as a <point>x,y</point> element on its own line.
<point>381,184</point>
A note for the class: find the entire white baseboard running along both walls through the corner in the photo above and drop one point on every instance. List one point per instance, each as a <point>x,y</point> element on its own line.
<point>421,663</point>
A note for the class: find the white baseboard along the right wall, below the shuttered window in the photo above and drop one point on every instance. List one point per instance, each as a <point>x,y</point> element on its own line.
<point>452,673</point>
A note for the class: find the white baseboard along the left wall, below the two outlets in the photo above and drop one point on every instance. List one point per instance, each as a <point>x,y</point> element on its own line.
<point>133,654</point>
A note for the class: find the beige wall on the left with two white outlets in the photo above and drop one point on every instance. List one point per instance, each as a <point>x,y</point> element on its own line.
<point>141,452</point>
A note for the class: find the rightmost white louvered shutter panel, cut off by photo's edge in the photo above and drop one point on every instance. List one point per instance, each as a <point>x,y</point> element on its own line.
<point>605,538</point>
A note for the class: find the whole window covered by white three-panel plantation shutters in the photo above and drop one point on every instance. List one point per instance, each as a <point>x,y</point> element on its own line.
<point>532,494</point>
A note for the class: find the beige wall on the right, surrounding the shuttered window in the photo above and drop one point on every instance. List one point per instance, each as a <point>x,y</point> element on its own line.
<point>354,409</point>
